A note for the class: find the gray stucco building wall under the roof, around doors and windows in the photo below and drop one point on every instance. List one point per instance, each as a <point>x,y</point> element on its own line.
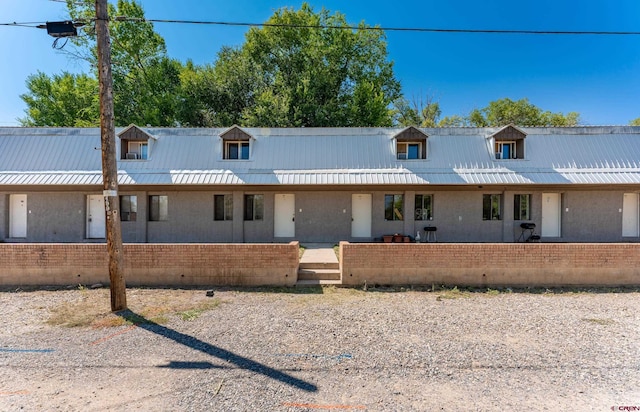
<point>586,215</point>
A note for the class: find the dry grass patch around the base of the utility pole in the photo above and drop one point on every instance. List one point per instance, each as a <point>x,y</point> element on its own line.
<point>91,308</point>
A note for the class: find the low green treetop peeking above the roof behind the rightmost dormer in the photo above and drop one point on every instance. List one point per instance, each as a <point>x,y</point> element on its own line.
<point>522,113</point>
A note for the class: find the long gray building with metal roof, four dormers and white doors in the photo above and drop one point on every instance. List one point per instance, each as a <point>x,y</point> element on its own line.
<point>255,185</point>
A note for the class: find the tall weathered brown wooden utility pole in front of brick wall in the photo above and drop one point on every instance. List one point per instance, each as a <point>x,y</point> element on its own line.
<point>109,165</point>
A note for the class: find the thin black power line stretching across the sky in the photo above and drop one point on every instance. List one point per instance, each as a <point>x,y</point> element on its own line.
<point>363,27</point>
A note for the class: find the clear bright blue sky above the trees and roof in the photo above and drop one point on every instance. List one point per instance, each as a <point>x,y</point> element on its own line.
<point>597,76</point>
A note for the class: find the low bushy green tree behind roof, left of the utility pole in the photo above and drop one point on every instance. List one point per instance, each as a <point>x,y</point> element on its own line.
<point>61,100</point>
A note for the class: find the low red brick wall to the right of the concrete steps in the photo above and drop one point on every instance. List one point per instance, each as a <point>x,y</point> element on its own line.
<point>491,264</point>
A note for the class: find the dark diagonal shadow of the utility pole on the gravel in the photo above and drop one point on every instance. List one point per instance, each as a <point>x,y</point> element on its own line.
<point>209,349</point>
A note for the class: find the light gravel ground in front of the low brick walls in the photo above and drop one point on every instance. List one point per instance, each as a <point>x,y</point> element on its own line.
<point>331,349</point>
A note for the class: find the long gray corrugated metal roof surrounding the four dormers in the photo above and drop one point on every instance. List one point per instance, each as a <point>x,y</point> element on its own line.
<point>325,156</point>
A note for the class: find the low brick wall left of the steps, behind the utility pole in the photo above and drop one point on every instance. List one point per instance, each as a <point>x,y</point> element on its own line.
<point>151,264</point>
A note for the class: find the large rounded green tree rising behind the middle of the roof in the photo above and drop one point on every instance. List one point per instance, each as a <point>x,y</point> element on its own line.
<point>311,76</point>
